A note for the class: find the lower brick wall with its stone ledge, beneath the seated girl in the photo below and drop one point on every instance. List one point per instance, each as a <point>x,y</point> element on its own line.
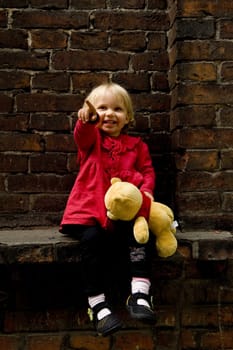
<point>47,308</point>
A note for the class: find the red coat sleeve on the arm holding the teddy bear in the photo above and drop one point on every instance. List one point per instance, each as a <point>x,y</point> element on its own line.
<point>144,165</point>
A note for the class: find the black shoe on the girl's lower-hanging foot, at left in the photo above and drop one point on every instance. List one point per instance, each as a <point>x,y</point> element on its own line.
<point>107,325</point>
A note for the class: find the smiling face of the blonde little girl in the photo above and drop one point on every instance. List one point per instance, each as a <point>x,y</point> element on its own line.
<point>112,112</point>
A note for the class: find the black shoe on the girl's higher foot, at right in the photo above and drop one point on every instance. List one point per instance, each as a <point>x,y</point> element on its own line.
<point>140,312</point>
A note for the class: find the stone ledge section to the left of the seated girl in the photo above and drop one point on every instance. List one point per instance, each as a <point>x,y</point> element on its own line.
<point>42,245</point>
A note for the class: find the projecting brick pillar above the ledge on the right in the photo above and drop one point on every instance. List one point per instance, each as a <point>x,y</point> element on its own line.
<point>203,116</point>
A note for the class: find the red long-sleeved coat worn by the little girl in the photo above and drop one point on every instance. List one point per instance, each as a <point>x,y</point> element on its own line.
<point>102,157</point>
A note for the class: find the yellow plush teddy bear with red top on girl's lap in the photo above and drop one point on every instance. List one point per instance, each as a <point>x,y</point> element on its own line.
<point>124,201</point>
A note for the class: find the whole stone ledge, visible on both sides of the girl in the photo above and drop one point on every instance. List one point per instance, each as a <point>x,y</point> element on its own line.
<point>47,245</point>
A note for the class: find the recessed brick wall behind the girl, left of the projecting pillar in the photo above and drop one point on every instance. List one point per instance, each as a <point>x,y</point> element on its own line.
<point>52,54</point>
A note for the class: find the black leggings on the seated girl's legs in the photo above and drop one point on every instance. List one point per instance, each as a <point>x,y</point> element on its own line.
<point>103,252</point>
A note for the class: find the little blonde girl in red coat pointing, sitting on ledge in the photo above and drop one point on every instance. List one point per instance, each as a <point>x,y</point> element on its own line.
<point>105,151</point>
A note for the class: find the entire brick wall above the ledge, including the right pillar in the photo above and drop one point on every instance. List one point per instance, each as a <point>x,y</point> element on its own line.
<point>177,65</point>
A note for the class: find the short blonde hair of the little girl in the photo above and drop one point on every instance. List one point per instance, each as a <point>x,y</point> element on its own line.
<point>119,91</point>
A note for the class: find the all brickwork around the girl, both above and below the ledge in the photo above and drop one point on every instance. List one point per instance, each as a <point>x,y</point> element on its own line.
<point>175,58</point>
